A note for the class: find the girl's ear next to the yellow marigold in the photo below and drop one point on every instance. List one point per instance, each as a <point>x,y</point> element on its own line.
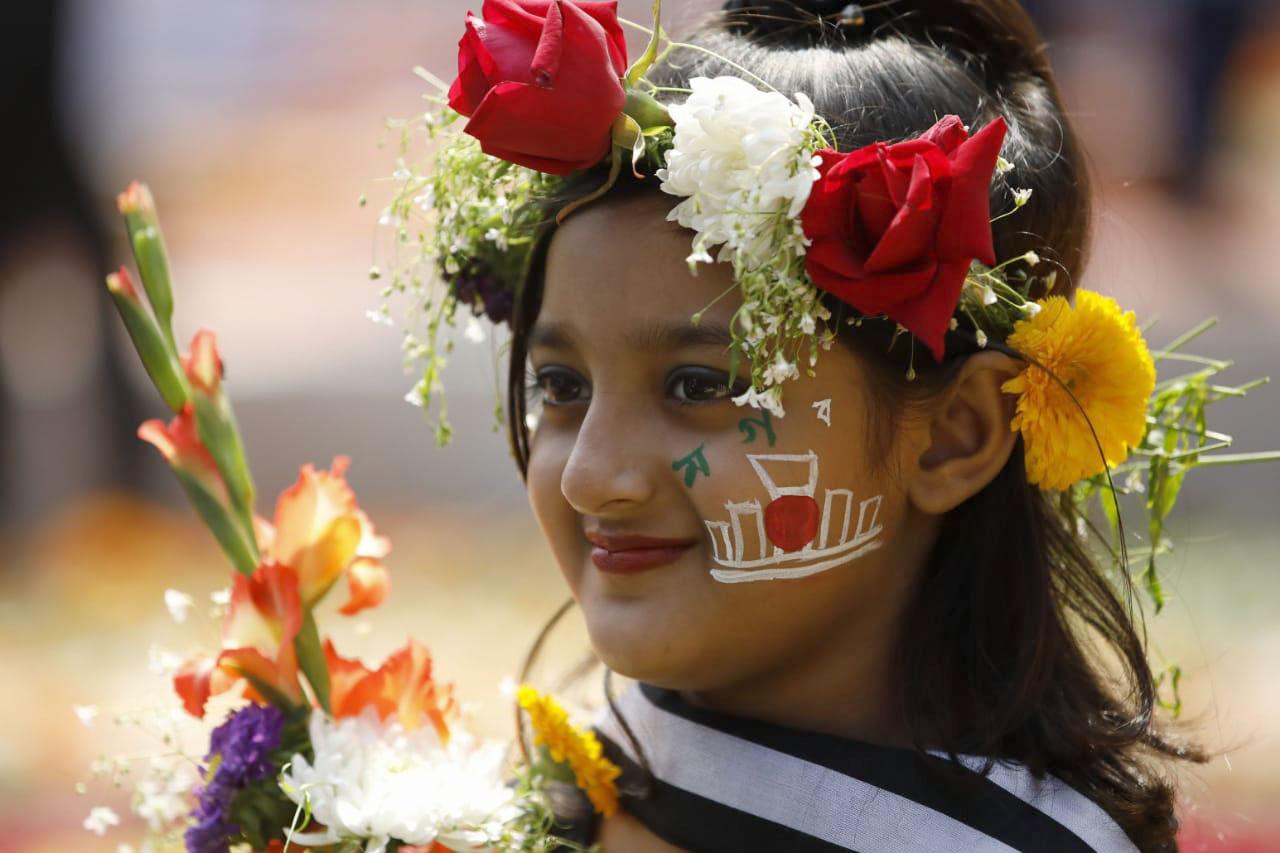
<point>970,436</point>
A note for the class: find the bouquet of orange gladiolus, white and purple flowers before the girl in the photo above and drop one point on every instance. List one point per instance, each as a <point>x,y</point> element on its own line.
<point>310,749</point>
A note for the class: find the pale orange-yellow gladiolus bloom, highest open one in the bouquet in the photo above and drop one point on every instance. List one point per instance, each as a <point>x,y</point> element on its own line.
<point>323,533</point>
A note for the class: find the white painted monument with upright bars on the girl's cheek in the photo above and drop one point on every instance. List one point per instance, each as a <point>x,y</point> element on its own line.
<point>836,542</point>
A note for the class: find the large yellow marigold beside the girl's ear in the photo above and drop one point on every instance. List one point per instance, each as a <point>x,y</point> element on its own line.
<point>1099,353</point>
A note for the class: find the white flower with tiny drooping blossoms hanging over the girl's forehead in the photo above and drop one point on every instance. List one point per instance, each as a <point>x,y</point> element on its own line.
<point>744,162</point>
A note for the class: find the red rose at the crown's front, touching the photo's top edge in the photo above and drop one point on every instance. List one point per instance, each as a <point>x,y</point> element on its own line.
<point>541,81</point>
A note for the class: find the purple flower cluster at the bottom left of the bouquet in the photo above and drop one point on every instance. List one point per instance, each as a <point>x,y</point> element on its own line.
<point>240,752</point>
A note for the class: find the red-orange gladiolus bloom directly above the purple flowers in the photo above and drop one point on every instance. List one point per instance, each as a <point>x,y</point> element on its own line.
<point>258,644</point>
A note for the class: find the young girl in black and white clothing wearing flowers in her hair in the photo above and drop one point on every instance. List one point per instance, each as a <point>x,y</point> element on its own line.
<point>857,621</point>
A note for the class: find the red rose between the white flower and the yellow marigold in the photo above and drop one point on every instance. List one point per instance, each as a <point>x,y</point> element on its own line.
<point>897,227</point>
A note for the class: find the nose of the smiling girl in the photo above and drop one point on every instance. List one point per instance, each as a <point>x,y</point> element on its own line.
<point>609,469</point>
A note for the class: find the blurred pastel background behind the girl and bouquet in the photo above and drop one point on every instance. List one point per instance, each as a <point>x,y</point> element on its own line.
<point>260,125</point>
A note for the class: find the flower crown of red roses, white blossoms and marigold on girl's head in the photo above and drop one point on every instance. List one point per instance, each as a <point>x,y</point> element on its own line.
<point>898,231</point>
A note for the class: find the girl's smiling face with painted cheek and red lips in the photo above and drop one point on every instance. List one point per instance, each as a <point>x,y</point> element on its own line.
<point>708,545</point>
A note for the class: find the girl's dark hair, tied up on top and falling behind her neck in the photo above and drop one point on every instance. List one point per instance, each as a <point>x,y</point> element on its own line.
<point>1011,645</point>
